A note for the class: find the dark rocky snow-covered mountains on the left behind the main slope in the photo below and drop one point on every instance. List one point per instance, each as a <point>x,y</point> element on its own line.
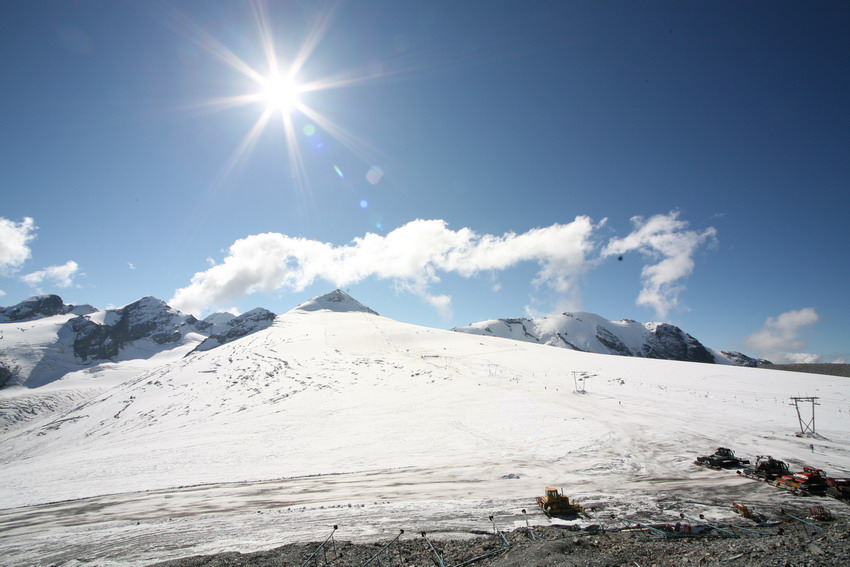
<point>54,355</point>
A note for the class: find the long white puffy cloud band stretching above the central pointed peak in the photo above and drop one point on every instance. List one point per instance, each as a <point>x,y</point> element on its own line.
<point>412,256</point>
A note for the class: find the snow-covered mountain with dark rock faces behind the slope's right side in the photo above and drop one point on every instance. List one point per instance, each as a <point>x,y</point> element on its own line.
<point>587,332</point>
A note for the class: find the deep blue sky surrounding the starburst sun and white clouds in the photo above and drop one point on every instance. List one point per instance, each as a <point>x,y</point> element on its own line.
<point>492,116</point>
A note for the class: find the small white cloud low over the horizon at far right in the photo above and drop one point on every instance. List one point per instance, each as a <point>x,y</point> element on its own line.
<point>779,340</point>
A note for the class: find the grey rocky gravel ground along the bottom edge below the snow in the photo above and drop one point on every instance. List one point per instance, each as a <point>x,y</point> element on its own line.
<point>791,544</point>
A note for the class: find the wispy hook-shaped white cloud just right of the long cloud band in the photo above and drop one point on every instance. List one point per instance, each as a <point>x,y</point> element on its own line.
<point>666,241</point>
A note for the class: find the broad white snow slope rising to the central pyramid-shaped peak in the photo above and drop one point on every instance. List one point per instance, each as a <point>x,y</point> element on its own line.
<point>355,413</point>
